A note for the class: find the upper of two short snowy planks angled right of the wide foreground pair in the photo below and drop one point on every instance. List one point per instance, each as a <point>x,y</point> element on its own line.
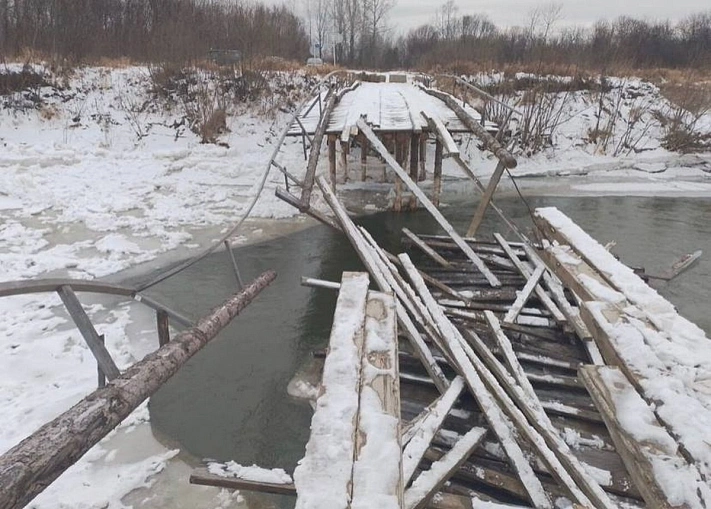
<point>426,429</point>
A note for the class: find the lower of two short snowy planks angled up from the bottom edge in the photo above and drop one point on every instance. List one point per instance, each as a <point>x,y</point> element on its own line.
<point>427,484</point>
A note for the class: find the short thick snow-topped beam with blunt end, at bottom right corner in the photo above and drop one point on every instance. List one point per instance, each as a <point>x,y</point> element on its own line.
<point>664,478</point>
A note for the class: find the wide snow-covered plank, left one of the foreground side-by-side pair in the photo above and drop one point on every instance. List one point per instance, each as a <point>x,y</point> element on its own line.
<point>323,477</point>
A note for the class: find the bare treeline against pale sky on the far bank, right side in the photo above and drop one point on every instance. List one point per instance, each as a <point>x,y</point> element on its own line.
<point>625,42</point>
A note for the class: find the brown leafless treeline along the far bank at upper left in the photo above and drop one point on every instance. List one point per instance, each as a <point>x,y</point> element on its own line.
<point>148,30</point>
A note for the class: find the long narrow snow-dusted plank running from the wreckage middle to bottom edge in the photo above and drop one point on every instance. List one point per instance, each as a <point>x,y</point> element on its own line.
<point>500,424</point>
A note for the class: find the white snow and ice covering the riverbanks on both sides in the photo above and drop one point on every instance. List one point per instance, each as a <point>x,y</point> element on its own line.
<point>90,186</point>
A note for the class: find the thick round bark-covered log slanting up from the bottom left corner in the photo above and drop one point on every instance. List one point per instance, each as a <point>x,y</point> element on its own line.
<point>29,467</point>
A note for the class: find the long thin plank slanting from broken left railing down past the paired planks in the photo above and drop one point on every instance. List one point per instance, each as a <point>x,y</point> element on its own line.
<point>369,260</point>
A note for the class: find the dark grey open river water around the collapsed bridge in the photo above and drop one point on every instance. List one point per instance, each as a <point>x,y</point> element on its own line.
<point>230,401</point>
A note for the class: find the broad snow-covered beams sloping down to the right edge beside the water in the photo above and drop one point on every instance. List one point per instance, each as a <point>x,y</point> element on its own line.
<point>664,356</point>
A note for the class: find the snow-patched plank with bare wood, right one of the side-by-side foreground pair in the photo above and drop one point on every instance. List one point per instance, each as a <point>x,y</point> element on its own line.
<point>377,473</point>
